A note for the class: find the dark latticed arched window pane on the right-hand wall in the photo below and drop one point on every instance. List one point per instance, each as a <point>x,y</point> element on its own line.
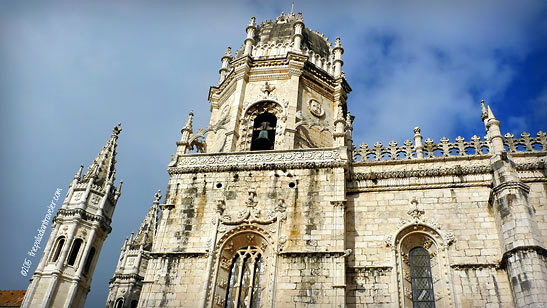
<point>421,279</point>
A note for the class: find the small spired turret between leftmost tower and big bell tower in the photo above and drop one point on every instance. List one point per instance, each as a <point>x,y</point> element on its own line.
<point>126,284</point>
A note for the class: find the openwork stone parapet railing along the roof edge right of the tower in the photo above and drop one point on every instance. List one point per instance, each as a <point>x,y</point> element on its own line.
<point>445,148</point>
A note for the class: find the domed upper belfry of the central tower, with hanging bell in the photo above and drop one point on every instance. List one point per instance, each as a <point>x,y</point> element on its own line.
<point>283,89</point>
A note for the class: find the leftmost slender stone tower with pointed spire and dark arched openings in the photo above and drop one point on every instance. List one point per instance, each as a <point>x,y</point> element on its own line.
<point>63,276</point>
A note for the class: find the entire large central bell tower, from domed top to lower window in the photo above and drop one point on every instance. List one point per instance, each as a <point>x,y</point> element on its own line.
<point>267,190</point>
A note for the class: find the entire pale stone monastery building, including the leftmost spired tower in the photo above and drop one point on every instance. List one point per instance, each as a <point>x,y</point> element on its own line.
<point>278,208</point>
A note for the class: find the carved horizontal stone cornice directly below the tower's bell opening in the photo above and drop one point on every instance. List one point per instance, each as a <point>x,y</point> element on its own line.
<point>261,160</point>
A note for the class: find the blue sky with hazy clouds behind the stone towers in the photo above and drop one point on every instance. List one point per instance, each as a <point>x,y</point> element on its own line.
<point>71,70</point>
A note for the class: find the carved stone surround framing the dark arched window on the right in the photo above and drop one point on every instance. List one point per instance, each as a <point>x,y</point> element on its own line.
<point>419,231</point>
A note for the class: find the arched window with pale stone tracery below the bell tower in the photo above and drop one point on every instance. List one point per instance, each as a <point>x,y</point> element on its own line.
<point>244,280</point>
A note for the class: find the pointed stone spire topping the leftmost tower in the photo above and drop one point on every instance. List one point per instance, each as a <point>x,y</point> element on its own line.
<point>103,167</point>
